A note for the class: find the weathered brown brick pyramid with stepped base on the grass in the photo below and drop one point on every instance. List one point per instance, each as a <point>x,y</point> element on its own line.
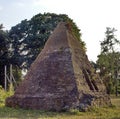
<point>61,77</point>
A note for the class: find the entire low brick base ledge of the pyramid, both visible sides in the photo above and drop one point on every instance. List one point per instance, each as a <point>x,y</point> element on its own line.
<point>58,104</point>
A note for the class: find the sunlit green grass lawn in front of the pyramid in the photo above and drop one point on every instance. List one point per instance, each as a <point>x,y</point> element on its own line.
<point>96,113</point>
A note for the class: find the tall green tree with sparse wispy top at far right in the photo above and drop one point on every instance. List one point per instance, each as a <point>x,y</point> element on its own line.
<point>108,60</point>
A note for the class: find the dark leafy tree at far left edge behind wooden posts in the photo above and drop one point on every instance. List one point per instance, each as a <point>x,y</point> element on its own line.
<point>6,56</point>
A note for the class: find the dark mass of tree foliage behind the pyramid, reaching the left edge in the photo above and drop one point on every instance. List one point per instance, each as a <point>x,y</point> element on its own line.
<point>21,45</point>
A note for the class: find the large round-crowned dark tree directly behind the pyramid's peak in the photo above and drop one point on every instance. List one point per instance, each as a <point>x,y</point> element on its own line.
<point>29,36</point>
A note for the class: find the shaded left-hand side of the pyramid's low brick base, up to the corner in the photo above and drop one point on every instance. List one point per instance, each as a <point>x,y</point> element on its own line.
<point>53,104</point>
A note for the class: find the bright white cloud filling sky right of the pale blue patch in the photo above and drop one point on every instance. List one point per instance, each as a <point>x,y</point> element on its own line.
<point>91,16</point>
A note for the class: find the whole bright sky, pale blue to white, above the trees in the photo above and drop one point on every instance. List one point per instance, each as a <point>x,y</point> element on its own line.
<point>91,16</point>
